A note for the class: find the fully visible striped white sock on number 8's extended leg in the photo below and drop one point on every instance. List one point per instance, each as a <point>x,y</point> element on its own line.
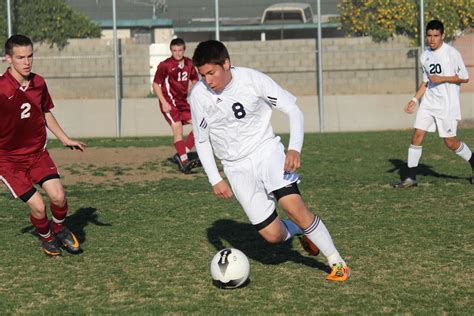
<point>319,235</point>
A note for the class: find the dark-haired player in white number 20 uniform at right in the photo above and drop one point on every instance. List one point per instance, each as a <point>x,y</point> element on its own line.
<point>443,73</point>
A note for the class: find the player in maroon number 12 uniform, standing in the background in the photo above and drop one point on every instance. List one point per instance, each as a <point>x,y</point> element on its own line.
<point>171,85</point>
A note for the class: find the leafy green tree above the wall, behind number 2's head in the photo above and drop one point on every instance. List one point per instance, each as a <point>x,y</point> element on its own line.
<point>50,21</point>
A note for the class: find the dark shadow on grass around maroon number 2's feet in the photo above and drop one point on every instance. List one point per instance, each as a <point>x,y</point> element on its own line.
<point>76,223</point>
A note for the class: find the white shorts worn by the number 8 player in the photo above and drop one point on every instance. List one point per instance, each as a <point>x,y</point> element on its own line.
<point>255,178</point>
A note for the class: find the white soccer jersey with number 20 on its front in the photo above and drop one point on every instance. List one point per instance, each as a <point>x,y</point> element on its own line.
<point>442,100</point>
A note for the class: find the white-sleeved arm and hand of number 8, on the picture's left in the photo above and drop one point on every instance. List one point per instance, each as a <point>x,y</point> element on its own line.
<point>205,152</point>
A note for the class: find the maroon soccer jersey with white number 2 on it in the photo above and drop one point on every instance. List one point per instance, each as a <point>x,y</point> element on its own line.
<point>22,118</point>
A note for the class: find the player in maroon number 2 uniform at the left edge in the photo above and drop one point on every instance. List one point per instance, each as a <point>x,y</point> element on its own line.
<point>25,112</point>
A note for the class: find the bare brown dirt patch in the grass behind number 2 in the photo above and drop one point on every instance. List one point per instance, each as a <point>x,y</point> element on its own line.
<point>116,165</point>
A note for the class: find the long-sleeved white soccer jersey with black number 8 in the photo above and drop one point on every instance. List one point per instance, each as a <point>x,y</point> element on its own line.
<point>236,121</point>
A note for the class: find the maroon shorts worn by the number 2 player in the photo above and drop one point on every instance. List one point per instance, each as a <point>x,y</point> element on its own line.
<point>21,172</point>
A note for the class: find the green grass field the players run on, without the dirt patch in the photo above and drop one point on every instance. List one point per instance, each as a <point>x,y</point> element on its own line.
<point>147,246</point>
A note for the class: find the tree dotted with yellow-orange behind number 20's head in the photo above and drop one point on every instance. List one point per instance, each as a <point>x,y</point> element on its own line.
<point>382,19</point>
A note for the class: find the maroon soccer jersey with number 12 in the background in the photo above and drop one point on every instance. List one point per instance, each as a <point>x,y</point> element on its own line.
<point>174,79</point>
